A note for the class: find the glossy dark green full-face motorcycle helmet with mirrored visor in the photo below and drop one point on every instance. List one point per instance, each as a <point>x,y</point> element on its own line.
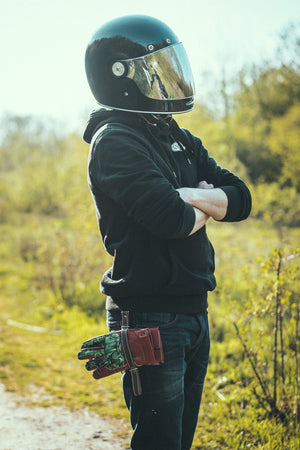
<point>136,63</point>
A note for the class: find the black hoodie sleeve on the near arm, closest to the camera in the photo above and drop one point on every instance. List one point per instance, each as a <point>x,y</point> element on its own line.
<point>121,167</point>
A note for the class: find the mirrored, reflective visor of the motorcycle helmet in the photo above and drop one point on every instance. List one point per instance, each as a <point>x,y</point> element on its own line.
<point>163,75</point>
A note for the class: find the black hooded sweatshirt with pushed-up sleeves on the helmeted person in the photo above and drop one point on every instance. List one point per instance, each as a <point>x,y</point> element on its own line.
<point>134,170</point>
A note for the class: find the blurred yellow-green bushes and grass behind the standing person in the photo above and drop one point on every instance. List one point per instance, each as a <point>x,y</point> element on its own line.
<point>52,258</point>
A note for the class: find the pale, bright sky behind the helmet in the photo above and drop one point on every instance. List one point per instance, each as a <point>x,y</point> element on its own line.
<point>42,45</point>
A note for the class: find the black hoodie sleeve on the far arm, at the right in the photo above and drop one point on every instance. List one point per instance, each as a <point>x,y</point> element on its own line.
<point>239,197</point>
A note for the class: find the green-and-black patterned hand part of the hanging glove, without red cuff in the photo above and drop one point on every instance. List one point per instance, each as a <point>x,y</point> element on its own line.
<point>101,351</point>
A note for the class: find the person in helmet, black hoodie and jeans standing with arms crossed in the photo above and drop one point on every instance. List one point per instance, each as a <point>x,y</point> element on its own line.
<point>155,187</point>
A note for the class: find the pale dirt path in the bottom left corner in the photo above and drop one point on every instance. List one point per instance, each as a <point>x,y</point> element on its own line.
<point>55,428</point>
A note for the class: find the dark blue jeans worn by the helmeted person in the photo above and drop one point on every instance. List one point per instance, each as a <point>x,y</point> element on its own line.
<point>165,416</point>
